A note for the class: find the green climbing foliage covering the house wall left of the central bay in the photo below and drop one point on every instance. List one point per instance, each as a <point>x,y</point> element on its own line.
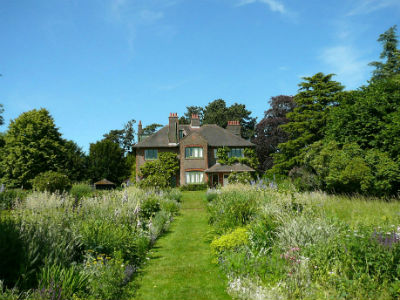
<point>159,172</point>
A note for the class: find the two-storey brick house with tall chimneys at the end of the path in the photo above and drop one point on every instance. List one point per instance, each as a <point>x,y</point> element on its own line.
<point>196,146</point>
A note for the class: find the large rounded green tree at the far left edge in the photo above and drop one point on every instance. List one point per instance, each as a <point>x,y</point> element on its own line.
<point>33,145</point>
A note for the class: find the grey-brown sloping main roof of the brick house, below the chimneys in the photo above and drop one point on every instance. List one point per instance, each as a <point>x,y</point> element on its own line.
<point>216,137</point>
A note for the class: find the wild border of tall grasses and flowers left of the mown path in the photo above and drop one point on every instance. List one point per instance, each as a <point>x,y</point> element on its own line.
<point>59,246</point>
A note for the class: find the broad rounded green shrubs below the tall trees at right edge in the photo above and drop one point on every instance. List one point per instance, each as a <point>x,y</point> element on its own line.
<point>350,169</point>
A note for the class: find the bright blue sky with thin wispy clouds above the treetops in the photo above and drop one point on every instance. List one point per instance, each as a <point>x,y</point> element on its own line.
<point>96,64</point>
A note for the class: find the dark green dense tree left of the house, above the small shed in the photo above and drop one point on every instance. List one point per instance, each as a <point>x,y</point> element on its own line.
<point>106,160</point>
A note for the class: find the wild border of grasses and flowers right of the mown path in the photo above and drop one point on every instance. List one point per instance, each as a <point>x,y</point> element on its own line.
<point>306,245</point>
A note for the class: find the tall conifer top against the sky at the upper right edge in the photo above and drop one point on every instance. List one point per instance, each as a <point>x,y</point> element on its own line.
<point>390,52</point>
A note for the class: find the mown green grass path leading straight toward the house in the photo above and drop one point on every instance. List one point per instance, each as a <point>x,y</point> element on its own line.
<point>180,265</point>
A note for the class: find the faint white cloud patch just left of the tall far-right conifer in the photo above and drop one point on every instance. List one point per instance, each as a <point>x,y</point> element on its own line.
<point>345,61</point>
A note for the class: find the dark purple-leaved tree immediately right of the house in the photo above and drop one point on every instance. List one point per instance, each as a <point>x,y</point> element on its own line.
<point>268,133</point>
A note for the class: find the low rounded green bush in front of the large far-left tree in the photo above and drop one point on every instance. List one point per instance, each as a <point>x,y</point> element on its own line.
<point>51,181</point>
